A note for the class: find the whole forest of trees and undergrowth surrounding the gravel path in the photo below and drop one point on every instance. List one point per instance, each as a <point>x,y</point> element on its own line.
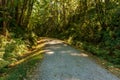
<point>92,25</point>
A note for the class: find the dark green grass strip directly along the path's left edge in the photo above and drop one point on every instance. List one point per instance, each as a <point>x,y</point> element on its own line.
<point>20,71</point>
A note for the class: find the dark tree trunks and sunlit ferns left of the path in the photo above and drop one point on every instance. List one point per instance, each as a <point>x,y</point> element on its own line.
<point>14,34</point>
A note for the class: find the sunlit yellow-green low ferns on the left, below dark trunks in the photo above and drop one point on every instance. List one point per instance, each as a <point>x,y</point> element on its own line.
<point>10,50</point>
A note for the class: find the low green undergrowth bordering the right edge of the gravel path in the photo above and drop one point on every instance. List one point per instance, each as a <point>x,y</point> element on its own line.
<point>109,53</point>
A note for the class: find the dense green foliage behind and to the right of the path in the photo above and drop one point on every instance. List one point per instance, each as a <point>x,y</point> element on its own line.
<point>90,24</point>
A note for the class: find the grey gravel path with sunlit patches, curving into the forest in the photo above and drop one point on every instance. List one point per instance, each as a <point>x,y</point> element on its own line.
<point>62,62</point>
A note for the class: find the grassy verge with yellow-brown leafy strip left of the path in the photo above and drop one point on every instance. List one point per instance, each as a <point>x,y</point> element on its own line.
<point>22,68</point>
